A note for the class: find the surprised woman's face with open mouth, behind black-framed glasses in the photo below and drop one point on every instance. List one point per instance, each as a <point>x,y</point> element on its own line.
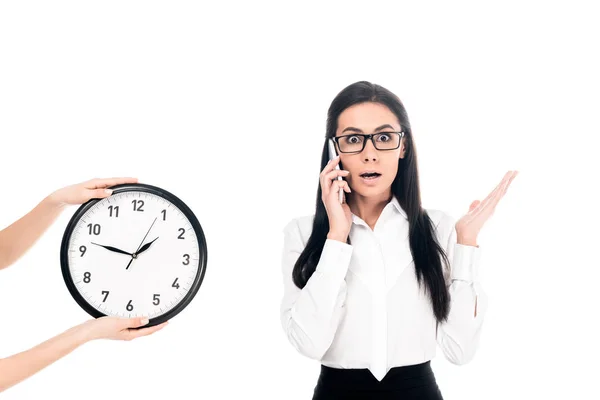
<point>369,118</point>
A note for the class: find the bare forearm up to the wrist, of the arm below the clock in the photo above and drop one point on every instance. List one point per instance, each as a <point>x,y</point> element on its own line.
<point>21,366</point>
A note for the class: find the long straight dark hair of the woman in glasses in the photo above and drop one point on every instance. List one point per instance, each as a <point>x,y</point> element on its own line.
<point>426,251</point>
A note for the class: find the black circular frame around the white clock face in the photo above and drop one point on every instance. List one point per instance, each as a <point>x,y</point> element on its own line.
<point>136,187</point>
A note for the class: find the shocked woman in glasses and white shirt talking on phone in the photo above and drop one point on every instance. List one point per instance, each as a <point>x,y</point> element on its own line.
<point>373,283</point>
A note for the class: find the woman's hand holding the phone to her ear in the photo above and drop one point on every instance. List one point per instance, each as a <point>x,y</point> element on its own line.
<point>340,217</point>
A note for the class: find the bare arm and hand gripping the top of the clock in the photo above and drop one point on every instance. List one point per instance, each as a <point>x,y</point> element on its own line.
<point>19,237</point>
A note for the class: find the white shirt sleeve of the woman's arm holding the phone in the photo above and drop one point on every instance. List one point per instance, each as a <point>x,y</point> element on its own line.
<point>310,316</point>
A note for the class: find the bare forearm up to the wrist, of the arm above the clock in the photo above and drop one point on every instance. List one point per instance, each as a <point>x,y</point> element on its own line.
<point>20,236</point>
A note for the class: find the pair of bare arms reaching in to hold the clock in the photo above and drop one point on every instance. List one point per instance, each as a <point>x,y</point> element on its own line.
<point>15,240</point>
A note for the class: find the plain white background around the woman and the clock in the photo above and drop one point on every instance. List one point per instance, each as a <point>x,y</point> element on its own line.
<point>236,96</point>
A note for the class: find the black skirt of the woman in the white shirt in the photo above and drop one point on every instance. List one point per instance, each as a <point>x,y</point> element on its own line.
<point>400,383</point>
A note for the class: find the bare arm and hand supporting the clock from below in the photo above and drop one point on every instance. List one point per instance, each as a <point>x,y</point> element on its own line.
<point>21,366</point>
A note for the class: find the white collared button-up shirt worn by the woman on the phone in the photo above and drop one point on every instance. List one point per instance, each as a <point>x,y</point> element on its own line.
<point>362,307</point>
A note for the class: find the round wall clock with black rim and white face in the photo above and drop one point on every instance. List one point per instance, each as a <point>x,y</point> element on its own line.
<point>139,252</point>
